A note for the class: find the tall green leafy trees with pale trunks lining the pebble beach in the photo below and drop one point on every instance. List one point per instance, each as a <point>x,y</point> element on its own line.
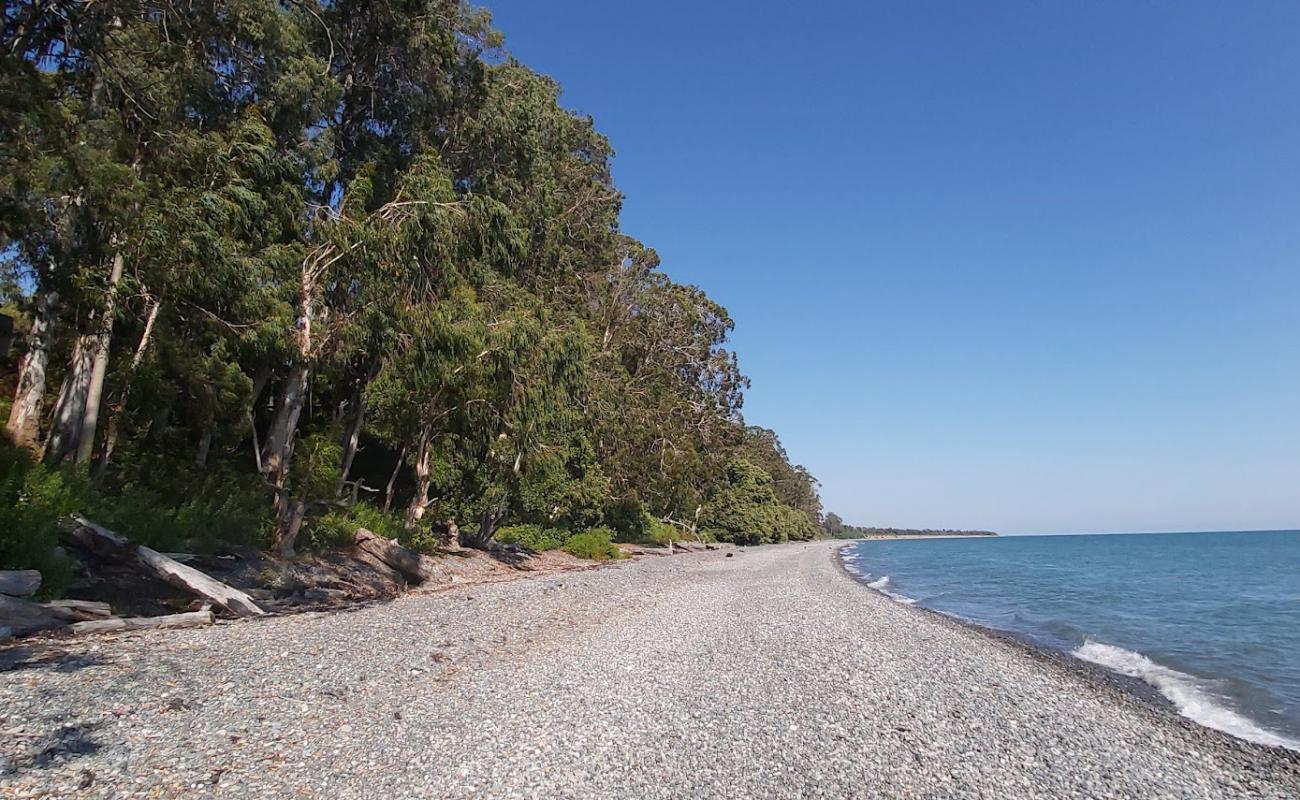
<point>340,254</point>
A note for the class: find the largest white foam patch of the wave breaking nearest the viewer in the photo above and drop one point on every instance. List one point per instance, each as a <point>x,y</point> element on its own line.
<point>1189,695</point>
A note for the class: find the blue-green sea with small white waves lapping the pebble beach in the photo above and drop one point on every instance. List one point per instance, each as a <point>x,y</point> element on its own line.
<point>1212,621</point>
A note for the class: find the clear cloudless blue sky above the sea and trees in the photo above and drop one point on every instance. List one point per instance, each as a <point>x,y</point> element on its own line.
<point>1029,266</point>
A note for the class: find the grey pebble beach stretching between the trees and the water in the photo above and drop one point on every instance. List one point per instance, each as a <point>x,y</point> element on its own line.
<point>768,674</point>
